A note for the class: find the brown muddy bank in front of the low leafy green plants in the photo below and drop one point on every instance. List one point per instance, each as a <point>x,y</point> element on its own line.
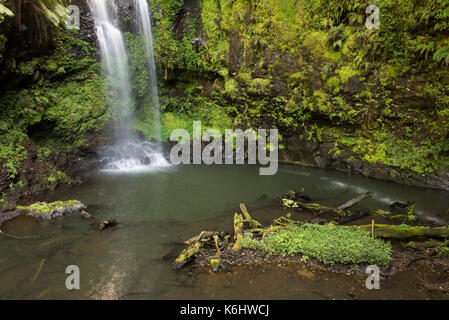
<point>269,280</point>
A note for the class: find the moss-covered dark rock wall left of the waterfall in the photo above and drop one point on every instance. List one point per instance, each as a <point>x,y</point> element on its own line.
<point>65,102</point>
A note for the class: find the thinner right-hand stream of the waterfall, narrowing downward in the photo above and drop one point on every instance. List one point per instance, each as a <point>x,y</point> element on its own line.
<point>144,21</point>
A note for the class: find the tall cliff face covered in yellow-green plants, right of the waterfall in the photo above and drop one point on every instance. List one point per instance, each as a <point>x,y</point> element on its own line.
<point>372,102</point>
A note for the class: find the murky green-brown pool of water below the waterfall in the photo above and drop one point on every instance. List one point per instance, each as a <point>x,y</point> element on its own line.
<point>160,210</point>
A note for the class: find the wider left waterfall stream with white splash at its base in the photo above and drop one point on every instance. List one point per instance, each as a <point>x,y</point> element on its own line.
<point>128,153</point>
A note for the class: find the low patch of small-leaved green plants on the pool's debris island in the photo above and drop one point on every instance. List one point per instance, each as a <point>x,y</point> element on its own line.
<point>326,243</point>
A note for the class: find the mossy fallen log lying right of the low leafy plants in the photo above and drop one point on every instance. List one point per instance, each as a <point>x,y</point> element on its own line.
<point>403,232</point>
